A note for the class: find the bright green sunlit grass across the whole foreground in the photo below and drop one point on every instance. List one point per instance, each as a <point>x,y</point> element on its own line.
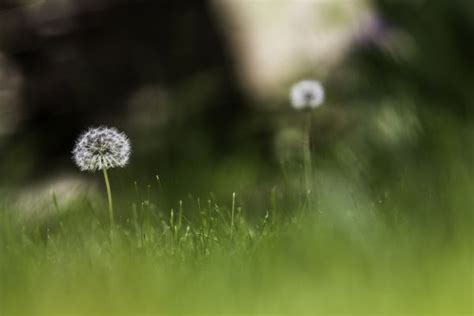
<point>349,263</point>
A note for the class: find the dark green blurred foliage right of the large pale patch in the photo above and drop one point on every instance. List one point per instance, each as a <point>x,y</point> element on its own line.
<point>408,79</point>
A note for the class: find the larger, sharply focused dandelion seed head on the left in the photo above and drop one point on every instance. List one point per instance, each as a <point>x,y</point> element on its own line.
<point>101,147</point>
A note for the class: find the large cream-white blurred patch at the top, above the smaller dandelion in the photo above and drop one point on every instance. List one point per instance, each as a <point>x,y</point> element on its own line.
<point>276,40</point>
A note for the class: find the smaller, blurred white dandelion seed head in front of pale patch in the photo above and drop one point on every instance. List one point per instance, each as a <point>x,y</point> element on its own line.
<point>307,94</point>
